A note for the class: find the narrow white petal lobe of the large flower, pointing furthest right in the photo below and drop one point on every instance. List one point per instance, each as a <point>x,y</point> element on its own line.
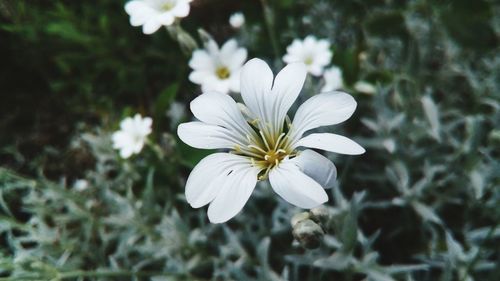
<point>331,142</point>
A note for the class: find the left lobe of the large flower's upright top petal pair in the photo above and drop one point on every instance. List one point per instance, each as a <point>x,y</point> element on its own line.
<point>256,83</point>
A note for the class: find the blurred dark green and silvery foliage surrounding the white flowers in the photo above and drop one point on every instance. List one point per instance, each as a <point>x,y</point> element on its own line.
<point>422,204</point>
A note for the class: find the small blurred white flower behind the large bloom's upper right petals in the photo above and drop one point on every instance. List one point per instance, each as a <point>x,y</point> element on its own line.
<point>314,53</point>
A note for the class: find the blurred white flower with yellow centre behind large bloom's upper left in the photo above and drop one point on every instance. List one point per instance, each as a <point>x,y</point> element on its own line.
<point>218,69</point>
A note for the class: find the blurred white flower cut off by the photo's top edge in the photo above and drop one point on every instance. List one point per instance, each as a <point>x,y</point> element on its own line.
<point>152,14</point>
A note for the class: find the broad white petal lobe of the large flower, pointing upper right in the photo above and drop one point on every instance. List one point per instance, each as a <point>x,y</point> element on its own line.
<point>322,110</point>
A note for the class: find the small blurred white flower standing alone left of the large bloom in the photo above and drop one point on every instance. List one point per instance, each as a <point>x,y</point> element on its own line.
<point>132,135</point>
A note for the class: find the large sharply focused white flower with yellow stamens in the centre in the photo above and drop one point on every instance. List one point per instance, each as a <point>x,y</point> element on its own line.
<point>262,144</point>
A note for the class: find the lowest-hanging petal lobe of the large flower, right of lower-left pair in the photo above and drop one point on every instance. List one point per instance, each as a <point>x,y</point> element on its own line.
<point>234,193</point>
